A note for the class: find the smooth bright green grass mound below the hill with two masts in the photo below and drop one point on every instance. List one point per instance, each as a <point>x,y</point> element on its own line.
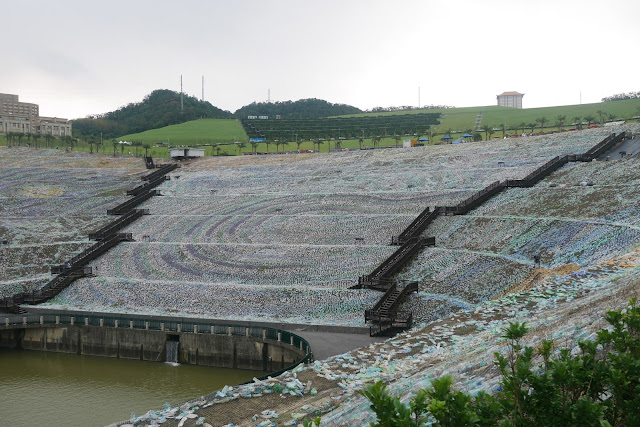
<point>196,132</point>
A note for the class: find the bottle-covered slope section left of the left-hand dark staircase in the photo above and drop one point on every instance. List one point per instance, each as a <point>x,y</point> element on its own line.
<point>49,201</point>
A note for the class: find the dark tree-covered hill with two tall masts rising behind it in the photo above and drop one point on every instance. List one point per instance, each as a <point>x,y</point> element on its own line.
<point>158,109</point>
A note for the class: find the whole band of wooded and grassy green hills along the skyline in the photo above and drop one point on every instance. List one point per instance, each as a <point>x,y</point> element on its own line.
<point>151,121</point>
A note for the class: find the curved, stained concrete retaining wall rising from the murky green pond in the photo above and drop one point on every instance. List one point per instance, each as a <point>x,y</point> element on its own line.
<point>223,351</point>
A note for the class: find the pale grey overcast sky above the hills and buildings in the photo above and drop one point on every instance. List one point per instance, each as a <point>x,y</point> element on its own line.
<point>76,58</point>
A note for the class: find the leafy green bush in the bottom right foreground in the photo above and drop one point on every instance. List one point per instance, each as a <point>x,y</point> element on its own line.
<point>598,386</point>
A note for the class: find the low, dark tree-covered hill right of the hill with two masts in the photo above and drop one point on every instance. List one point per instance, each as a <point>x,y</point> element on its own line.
<point>302,109</point>
